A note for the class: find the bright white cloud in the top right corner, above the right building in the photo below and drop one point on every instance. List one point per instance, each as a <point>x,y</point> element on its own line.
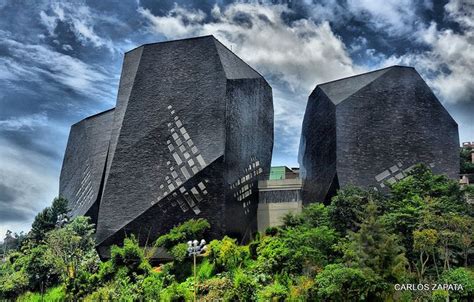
<point>448,64</point>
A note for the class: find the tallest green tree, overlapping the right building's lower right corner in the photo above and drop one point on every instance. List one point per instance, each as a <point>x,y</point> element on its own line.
<point>417,201</point>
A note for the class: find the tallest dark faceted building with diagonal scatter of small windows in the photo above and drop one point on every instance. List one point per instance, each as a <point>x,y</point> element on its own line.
<point>191,133</point>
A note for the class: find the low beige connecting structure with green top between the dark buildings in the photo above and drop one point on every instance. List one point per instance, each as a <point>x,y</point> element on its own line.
<point>279,195</point>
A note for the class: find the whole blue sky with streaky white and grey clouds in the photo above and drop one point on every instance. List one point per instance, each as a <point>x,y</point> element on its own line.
<point>60,61</point>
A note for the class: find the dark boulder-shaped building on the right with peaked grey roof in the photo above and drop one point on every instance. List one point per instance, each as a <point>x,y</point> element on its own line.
<point>371,129</point>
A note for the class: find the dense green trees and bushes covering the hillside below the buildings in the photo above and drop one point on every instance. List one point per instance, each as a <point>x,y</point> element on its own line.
<point>355,249</point>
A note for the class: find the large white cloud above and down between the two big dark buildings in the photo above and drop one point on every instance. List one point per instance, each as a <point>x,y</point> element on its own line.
<point>293,57</point>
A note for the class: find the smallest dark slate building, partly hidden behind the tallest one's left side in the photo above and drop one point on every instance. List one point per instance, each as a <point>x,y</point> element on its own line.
<point>84,162</point>
